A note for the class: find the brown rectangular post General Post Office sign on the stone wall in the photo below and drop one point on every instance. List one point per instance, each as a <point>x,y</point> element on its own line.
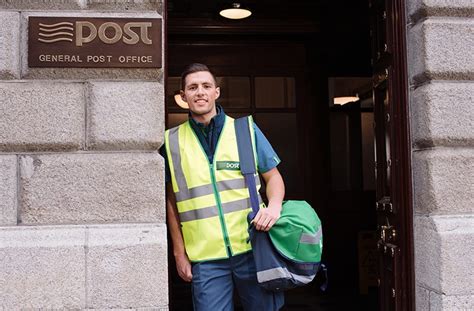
<point>94,42</point>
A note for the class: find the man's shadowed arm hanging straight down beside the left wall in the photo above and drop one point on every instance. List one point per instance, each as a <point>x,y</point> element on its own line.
<point>183,264</point>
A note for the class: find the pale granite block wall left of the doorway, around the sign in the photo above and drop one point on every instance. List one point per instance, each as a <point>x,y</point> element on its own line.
<point>82,208</point>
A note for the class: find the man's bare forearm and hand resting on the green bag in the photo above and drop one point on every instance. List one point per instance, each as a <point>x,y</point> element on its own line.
<point>266,217</point>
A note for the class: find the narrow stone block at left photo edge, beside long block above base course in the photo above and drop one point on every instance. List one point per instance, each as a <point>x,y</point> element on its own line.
<point>8,190</point>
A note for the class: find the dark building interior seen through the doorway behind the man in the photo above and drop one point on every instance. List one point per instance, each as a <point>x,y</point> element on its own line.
<point>279,65</point>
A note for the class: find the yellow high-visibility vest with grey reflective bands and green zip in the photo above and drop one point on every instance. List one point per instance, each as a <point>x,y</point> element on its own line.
<point>212,198</point>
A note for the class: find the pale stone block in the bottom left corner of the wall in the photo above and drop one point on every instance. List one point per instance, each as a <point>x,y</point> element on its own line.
<point>42,268</point>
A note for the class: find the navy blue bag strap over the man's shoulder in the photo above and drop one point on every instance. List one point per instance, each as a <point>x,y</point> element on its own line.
<point>247,160</point>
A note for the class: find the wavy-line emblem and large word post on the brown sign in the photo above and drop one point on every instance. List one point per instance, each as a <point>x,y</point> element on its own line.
<point>85,32</point>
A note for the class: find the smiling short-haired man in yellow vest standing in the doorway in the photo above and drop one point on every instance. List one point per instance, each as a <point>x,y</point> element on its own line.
<point>208,202</point>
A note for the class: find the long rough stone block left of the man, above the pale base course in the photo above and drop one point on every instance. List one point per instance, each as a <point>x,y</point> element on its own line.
<point>91,188</point>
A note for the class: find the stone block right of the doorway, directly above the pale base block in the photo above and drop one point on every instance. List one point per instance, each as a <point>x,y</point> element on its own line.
<point>442,181</point>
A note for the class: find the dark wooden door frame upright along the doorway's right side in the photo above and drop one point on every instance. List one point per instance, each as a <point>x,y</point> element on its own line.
<point>394,70</point>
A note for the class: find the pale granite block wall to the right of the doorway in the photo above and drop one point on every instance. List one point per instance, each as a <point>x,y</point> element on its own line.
<point>441,72</point>
